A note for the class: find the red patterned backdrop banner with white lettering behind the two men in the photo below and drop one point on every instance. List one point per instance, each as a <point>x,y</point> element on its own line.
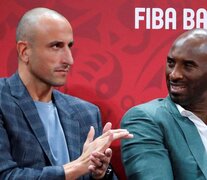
<point>120,49</point>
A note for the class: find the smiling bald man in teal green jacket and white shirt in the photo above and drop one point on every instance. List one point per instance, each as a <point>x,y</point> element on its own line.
<point>170,134</point>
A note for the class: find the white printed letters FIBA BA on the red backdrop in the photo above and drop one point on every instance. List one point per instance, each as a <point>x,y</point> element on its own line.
<point>157,18</point>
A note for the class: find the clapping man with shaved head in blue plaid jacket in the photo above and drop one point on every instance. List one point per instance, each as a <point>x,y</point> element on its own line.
<point>45,134</point>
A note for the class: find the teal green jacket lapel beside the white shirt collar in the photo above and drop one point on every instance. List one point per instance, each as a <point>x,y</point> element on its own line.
<point>191,135</point>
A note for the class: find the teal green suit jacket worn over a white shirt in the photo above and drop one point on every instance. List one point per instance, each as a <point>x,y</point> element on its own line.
<point>165,146</point>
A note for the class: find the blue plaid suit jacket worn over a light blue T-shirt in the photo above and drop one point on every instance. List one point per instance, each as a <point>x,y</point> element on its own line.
<point>24,150</point>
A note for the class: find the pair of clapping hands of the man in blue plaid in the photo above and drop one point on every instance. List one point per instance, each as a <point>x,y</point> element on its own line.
<point>95,153</point>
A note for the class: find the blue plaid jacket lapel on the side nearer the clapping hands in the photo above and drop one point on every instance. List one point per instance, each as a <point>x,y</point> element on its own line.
<point>70,124</point>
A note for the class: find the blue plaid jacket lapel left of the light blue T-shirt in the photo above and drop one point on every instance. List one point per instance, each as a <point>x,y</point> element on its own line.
<point>25,102</point>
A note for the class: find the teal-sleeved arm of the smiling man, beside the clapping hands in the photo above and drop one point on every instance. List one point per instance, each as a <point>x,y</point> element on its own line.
<point>145,156</point>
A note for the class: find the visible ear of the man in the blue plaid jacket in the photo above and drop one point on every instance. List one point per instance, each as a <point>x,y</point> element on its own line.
<point>23,51</point>
